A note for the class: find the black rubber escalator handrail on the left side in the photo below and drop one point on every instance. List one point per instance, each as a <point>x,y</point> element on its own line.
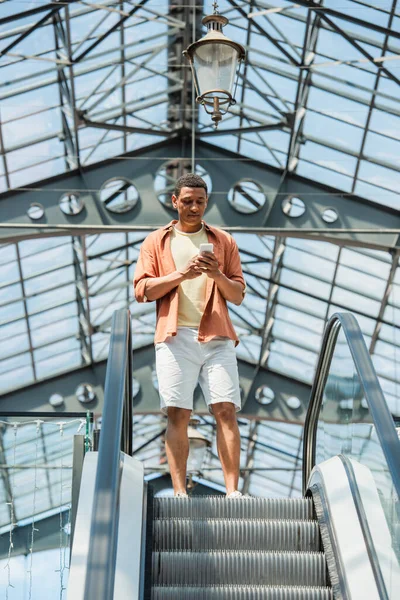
<point>116,436</point>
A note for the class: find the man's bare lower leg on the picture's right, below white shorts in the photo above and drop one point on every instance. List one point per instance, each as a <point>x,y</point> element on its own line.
<point>228,443</point>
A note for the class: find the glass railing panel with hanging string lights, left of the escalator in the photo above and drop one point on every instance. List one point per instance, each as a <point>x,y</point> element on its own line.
<point>35,491</point>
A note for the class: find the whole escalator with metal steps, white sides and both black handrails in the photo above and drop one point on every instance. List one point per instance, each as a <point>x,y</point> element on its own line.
<point>341,540</point>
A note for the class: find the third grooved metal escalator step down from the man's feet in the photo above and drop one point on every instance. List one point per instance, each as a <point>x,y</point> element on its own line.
<point>236,567</point>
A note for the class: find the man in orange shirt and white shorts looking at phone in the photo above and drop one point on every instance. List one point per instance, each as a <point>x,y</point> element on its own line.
<point>194,337</point>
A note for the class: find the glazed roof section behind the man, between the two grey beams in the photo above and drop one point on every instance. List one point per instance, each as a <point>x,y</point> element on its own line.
<point>48,306</point>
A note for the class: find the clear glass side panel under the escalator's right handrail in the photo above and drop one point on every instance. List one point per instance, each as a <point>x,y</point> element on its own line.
<point>346,427</point>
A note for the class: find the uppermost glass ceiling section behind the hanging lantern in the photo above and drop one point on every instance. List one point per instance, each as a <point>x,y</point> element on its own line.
<point>325,76</point>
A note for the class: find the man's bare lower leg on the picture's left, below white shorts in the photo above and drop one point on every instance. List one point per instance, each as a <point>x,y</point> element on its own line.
<point>177,446</point>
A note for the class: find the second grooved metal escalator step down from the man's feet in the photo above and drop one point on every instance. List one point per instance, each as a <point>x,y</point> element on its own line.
<point>240,534</point>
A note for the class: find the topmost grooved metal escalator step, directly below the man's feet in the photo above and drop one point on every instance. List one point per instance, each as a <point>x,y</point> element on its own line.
<point>199,507</point>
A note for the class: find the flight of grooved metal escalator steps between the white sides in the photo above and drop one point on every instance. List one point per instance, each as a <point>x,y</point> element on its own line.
<point>209,548</point>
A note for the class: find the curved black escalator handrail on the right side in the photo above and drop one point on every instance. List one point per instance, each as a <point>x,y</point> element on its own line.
<point>377,406</point>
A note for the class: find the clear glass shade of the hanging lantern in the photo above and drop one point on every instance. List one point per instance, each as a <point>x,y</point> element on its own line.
<point>214,67</point>
